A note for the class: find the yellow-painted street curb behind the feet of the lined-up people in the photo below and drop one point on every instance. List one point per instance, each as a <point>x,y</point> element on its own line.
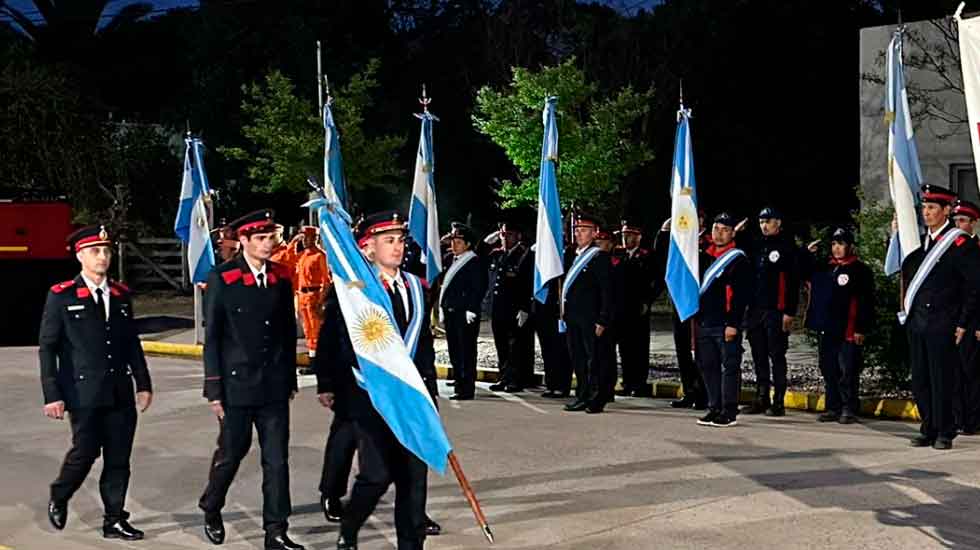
<point>899,409</point>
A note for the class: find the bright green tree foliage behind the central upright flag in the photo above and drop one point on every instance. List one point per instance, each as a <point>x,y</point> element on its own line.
<point>597,142</point>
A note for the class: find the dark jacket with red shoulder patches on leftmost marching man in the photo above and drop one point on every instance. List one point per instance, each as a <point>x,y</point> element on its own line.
<point>85,361</point>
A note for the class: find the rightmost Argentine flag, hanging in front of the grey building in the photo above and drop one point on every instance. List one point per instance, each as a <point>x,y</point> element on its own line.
<point>904,173</point>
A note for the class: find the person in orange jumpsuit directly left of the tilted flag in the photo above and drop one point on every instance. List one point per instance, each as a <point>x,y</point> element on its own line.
<point>312,281</point>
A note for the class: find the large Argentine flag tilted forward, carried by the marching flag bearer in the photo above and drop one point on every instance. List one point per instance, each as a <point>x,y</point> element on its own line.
<point>386,370</point>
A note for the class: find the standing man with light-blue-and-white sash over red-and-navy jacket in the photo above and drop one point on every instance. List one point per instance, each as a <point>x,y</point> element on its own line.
<point>726,282</point>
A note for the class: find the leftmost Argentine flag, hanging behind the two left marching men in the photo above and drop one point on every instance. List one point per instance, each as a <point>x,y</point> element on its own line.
<point>191,225</point>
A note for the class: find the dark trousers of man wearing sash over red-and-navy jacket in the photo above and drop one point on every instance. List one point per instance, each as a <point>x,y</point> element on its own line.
<point>721,363</point>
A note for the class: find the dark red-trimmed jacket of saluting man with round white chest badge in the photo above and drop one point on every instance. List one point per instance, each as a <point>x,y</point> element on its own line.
<point>842,297</point>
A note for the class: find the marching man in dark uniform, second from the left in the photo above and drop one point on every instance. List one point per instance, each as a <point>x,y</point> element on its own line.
<point>250,375</point>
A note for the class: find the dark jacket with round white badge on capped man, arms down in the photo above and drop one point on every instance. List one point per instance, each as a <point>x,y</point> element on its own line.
<point>777,279</point>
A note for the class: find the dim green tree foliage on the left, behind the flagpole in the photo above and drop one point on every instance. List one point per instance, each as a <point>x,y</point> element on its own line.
<point>286,136</point>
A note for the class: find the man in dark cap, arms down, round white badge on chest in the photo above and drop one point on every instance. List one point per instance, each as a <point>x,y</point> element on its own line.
<point>771,312</point>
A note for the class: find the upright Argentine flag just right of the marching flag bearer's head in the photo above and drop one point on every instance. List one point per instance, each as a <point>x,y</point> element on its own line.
<point>423,214</point>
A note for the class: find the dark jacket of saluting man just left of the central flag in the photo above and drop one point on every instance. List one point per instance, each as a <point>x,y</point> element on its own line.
<point>510,287</point>
